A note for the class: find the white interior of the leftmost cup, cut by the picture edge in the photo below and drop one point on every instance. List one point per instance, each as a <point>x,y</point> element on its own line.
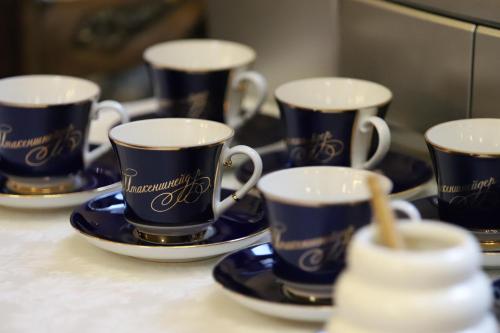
<point>43,90</point>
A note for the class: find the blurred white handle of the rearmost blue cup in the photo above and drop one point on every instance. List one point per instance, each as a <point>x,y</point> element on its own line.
<point>235,117</point>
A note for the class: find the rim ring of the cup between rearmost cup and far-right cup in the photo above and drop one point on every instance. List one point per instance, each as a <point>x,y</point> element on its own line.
<point>342,80</point>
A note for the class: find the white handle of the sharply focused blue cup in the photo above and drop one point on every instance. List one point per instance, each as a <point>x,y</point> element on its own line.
<point>221,206</point>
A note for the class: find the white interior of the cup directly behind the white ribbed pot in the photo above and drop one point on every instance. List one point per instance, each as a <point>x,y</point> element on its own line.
<point>321,185</point>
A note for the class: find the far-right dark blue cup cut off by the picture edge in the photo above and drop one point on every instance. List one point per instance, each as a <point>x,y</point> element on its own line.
<point>466,158</point>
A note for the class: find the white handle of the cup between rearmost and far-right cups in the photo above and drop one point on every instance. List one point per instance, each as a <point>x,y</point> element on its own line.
<point>384,139</point>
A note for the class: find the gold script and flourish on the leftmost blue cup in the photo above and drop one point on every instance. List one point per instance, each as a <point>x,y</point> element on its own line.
<point>45,147</point>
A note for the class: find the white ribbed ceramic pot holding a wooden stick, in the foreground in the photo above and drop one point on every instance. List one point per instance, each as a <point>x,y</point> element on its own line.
<point>434,286</point>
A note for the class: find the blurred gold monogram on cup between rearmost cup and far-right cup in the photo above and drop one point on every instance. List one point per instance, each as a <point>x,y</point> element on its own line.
<point>321,147</point>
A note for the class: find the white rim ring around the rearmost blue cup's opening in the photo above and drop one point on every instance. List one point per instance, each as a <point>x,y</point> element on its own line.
<point>149,55</point>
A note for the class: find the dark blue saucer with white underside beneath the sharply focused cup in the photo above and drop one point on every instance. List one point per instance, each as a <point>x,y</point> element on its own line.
<point>101,222</point>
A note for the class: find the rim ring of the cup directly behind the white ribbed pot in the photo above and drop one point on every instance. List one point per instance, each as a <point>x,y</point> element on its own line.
<point>280,198</point>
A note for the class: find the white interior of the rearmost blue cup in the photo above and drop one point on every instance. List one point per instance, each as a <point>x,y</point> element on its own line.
<point>199,55</point>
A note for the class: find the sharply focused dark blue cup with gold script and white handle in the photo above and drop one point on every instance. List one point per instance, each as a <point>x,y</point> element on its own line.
<point>171,175</point>
